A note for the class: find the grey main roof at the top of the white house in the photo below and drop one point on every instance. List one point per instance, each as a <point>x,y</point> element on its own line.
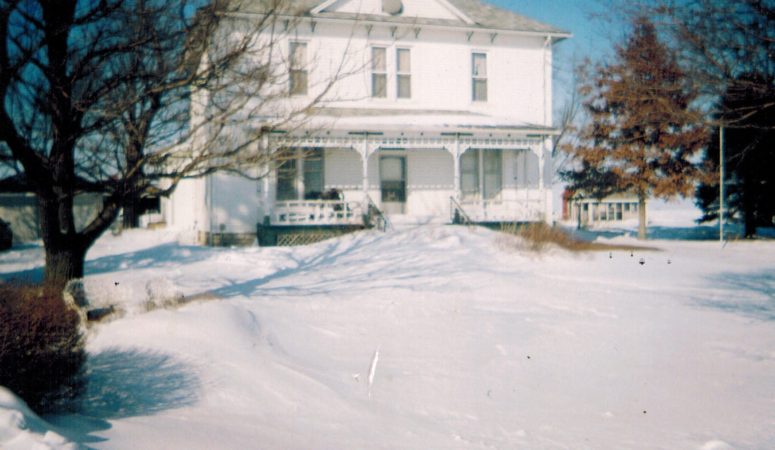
<point>483,15</point>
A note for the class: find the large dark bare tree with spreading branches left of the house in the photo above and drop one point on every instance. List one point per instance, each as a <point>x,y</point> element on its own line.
<point>128,97</point>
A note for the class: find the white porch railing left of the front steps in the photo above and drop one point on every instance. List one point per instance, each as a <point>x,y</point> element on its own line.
<point>317,212</point>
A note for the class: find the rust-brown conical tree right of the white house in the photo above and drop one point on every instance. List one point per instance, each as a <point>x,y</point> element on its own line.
<point>642,134</point>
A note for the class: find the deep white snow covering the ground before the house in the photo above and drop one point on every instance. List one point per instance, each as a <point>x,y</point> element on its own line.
<point>425,337</point>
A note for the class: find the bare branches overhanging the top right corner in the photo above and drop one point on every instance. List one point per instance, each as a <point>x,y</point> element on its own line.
<point>720,44</point>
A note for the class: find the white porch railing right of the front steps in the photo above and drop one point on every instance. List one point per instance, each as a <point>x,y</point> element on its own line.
<point>516,210</point>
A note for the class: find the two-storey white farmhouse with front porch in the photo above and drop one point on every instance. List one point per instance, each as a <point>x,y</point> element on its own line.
<point>447,114</point>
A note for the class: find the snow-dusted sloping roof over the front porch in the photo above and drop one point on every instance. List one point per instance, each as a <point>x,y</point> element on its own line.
<point>420,122</point>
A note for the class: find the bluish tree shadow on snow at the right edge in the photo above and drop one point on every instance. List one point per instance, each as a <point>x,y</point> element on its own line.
<point>749,294</point>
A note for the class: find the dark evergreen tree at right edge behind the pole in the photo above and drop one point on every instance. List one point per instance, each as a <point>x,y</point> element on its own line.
<point>749,158</point>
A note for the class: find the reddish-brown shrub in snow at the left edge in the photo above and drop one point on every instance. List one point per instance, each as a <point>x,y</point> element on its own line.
<point>41,346</point>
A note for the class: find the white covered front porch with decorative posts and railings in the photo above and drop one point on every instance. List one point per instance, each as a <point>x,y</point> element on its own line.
<point>344,176</point>
